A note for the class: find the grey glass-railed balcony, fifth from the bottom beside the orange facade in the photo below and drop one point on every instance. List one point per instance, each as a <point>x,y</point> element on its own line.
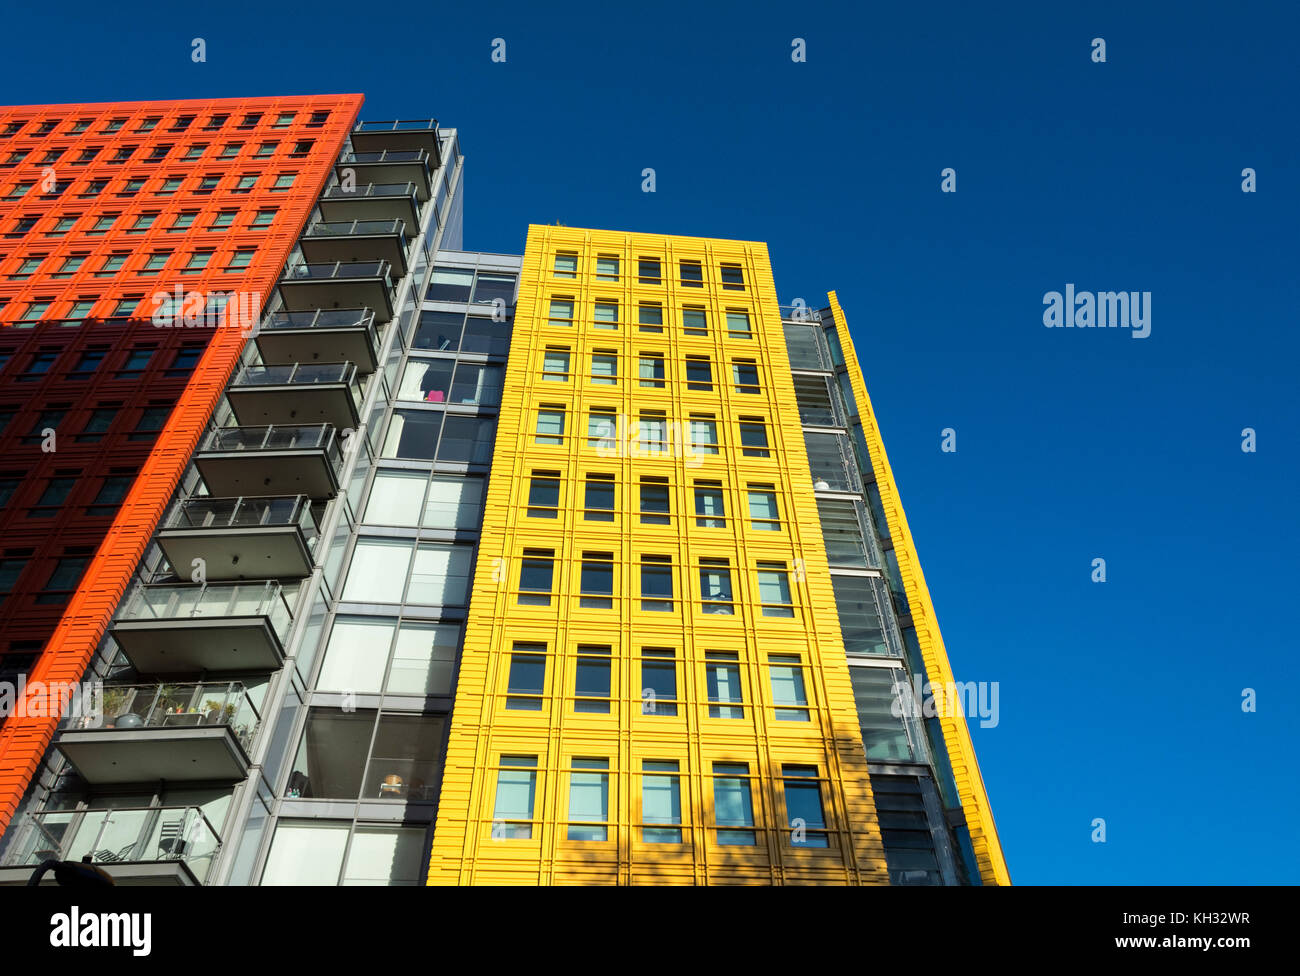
<point>288,461</point>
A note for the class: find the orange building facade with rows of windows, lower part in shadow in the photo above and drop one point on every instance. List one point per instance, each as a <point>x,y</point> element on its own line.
<point>138,242</point>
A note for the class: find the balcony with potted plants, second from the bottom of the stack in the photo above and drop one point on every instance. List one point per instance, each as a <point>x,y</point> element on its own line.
<point>185,732</point>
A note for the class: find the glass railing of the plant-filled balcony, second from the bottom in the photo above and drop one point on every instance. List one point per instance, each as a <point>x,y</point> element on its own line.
<point>136,708</point>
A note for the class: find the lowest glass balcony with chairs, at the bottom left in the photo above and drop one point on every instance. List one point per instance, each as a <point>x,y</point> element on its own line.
<point>136,845</point>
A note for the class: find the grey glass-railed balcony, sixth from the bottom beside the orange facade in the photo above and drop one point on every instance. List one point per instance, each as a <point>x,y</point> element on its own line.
<point>304,393</point>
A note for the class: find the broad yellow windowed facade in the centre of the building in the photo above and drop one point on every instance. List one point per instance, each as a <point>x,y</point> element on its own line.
<point>655,688</point>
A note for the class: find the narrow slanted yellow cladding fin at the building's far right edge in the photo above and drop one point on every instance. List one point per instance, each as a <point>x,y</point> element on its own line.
<point>957,739</point>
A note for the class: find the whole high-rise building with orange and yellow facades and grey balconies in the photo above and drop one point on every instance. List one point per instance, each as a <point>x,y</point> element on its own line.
<point>384,562</point>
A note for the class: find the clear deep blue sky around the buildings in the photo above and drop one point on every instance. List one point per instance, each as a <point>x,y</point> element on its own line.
<point>1119,700</point>
